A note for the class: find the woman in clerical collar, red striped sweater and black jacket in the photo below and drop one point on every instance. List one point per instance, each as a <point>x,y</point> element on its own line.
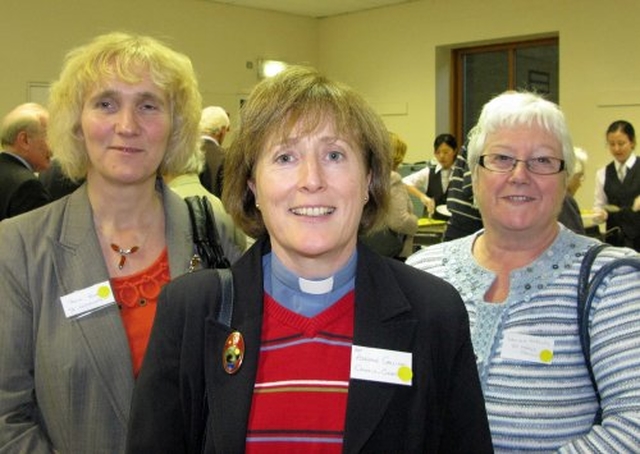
<point>314,310</point>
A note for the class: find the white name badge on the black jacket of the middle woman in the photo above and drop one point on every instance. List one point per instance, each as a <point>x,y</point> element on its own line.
<point>386,366</point>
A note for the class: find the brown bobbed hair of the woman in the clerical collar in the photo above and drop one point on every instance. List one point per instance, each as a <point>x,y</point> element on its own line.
<point>301,96</point>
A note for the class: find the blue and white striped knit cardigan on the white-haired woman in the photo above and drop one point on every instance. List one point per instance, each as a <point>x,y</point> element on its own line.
<point>550,407</point>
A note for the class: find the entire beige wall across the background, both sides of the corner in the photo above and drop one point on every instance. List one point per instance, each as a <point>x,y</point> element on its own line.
<point>396,56</point>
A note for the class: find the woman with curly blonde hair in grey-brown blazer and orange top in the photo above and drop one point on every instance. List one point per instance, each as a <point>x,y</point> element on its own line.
<point>80,277</point>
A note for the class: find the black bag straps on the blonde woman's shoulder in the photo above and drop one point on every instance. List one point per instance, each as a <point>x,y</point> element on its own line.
<point>205,233</point>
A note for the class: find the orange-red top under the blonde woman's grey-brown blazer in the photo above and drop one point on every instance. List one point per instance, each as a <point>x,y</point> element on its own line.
<point>137,296</point>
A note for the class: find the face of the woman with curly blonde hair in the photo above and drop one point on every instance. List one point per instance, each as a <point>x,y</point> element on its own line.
<point>126,129</point>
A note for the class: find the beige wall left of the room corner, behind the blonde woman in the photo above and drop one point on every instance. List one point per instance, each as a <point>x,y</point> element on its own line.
<point>220,40</point>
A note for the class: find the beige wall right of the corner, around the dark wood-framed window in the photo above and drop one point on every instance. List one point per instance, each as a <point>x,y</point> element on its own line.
<point>399,62</point>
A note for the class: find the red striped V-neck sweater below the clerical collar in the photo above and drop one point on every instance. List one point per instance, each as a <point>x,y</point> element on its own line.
<point>300,395</point>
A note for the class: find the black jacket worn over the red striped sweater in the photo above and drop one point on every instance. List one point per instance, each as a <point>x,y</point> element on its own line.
<point>396,307</point>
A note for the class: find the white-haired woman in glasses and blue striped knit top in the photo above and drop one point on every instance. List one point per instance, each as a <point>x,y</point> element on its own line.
<point>519,280</point>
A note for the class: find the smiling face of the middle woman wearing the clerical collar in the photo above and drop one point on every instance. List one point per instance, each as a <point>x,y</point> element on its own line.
<point>311,190</point>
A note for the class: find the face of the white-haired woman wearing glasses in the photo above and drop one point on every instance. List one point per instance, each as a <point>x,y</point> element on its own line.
<point>520,201</point>
